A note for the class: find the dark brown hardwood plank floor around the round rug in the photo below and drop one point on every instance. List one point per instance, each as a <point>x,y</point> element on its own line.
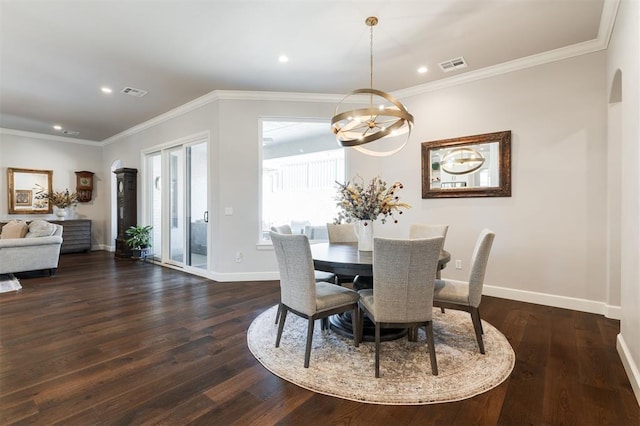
<point>121,342</point>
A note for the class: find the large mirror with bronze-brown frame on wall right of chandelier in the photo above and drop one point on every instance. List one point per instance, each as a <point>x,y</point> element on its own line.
<point>469,166</point>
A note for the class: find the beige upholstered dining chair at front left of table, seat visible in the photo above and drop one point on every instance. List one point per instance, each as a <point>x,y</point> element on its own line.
<point>300,294</point>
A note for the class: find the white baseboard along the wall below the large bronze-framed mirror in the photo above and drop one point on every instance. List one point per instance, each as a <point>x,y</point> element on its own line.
<point>554,300</point>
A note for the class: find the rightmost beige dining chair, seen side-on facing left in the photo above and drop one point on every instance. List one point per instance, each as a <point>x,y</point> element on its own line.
<point>466,296</point>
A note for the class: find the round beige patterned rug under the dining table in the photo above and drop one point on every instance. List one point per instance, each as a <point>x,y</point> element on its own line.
<point>339,369</point>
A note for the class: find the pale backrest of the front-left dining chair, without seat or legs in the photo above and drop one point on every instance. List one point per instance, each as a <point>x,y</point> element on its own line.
<point>297,279</point>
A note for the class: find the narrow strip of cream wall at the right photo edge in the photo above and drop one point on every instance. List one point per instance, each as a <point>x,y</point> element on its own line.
<point>623,56</point>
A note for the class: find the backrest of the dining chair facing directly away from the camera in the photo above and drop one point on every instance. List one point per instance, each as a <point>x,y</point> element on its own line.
<point>404,273</point>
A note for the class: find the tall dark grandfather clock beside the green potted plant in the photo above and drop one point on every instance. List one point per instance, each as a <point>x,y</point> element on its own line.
<point>127,211</point>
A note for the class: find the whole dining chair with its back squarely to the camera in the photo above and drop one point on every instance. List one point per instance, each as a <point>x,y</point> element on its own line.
<point>404,273</point>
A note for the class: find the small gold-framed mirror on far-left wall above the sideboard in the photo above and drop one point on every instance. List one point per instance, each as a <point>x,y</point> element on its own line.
<point>24,185</point>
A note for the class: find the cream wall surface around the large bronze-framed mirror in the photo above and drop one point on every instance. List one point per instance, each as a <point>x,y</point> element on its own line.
<point>550,235</point>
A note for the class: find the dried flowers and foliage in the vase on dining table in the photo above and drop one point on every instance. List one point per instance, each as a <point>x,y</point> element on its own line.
<point>360,202</point>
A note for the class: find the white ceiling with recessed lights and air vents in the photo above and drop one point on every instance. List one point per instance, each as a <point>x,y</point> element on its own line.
<point>56,55</point>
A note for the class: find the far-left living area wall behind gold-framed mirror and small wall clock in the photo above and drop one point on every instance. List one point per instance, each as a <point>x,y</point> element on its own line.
<point>64,156</point>
